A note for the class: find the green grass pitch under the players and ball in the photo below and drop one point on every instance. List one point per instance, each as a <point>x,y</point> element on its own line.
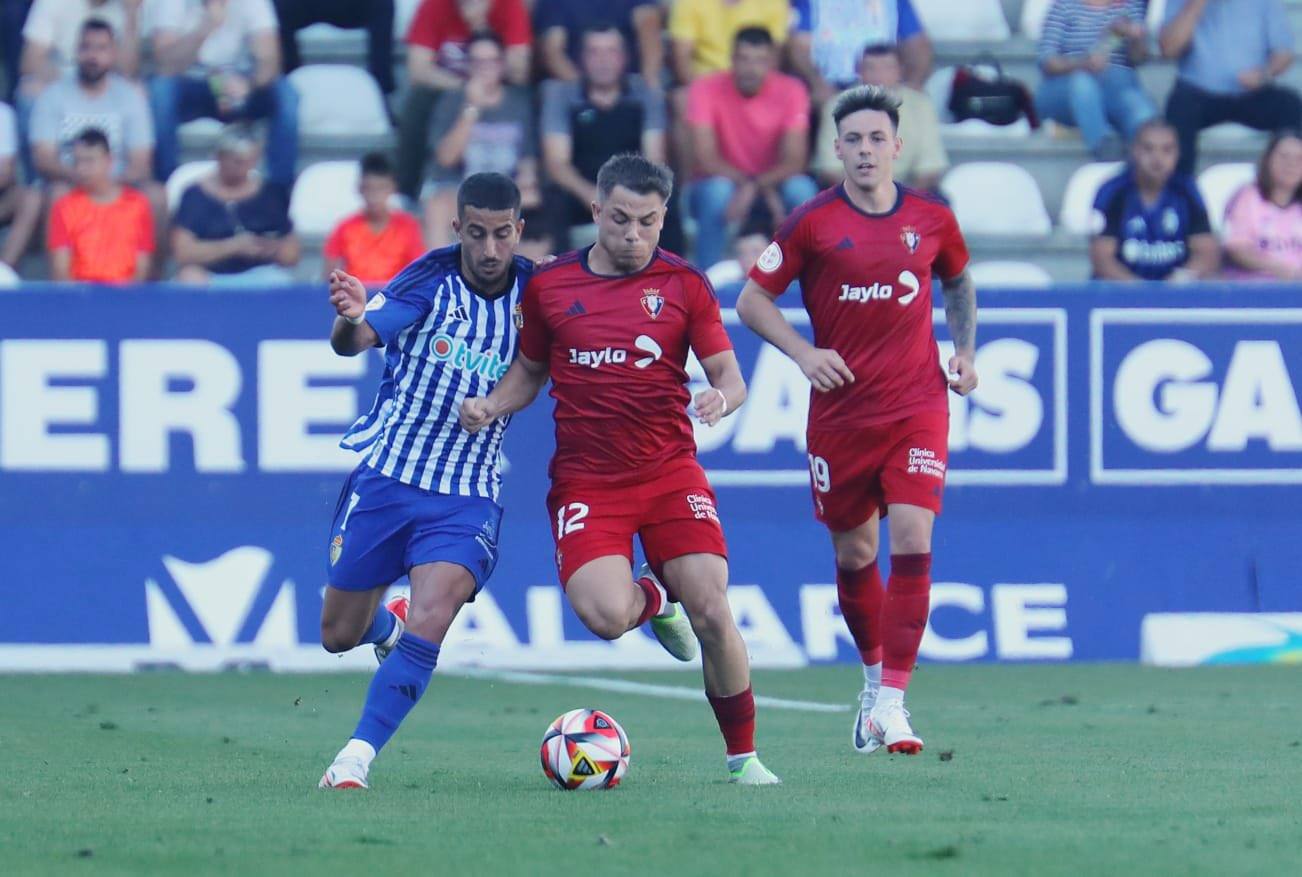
<point>1029,770</point>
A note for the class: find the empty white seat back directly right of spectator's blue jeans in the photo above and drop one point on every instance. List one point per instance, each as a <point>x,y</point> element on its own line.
<point>339,100</point>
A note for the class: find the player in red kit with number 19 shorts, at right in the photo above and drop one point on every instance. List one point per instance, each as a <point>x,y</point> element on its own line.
<point>878,433</point>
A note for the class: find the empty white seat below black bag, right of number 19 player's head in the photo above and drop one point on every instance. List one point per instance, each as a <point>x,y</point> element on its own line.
<point>997,198</point>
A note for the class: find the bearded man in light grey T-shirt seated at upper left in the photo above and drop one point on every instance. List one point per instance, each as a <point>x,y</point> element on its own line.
<point>96,98</point>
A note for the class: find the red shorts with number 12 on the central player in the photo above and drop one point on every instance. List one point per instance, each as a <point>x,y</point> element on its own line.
<point>674,513</point>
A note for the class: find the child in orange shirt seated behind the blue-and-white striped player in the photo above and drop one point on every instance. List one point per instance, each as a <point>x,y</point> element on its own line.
<point>377,243</point>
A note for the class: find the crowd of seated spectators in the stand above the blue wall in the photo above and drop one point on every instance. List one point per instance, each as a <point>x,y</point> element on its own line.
<point>734,94</point>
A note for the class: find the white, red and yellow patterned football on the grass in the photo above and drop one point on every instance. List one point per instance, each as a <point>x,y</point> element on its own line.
<point>585,749</point>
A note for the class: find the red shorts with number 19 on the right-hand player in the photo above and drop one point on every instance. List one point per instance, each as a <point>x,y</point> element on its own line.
<point>855,473</point>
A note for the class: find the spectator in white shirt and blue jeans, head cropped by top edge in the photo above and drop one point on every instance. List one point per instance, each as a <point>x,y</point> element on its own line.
<point>221,59</point>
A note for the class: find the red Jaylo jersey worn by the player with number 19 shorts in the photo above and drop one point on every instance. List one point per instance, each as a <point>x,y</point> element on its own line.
<point>866,280</point>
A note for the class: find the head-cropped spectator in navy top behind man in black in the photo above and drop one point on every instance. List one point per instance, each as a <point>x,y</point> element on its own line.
<point>561,27</point>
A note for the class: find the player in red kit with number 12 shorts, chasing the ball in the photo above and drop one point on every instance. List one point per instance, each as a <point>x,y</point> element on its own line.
<point>611,326</point>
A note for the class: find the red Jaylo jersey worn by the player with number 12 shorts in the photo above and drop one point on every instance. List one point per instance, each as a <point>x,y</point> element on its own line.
<point>618,349</point>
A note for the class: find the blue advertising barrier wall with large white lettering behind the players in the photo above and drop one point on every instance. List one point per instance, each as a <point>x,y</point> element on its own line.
<point>169,473</point>
